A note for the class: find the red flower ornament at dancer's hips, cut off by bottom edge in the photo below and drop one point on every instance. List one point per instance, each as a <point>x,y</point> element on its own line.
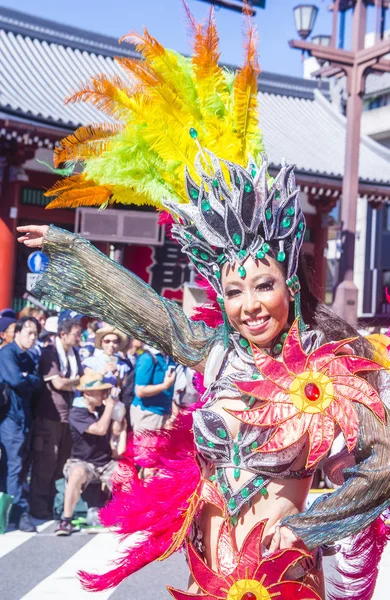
<point>245,575</point>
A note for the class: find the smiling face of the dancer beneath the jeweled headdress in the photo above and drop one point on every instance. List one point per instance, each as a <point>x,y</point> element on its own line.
<point>257,306</point>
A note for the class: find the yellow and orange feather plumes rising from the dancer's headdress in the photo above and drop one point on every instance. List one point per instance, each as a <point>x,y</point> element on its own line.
<point>139,155</point>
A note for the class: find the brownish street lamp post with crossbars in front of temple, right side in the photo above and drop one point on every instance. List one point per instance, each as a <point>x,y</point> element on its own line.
<point>355,65</point>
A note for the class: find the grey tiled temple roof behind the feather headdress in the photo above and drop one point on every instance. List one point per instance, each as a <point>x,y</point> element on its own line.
<point>42,62</point>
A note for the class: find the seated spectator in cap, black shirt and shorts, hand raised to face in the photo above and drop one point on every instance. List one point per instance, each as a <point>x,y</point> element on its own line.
<point>91,458</point>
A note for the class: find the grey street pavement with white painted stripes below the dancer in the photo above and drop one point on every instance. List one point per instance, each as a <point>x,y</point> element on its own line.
<point>43,567</point>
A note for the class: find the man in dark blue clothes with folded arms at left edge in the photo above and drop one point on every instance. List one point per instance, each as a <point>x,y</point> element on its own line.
<point>18,371</point>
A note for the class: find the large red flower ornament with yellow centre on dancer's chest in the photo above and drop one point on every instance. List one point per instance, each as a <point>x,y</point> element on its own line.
<point>309,394</point>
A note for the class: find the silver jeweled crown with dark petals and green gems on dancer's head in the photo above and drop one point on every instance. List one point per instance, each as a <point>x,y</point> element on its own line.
<point>248,215</point>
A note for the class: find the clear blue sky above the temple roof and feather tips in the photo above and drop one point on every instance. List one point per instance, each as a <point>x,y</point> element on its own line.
<point>165,19</point>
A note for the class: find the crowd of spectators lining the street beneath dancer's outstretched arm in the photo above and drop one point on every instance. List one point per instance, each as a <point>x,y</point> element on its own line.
<point>70,391</point>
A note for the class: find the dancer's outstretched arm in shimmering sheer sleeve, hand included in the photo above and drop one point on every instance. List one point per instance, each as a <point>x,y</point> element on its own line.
<point>83,279</point>
